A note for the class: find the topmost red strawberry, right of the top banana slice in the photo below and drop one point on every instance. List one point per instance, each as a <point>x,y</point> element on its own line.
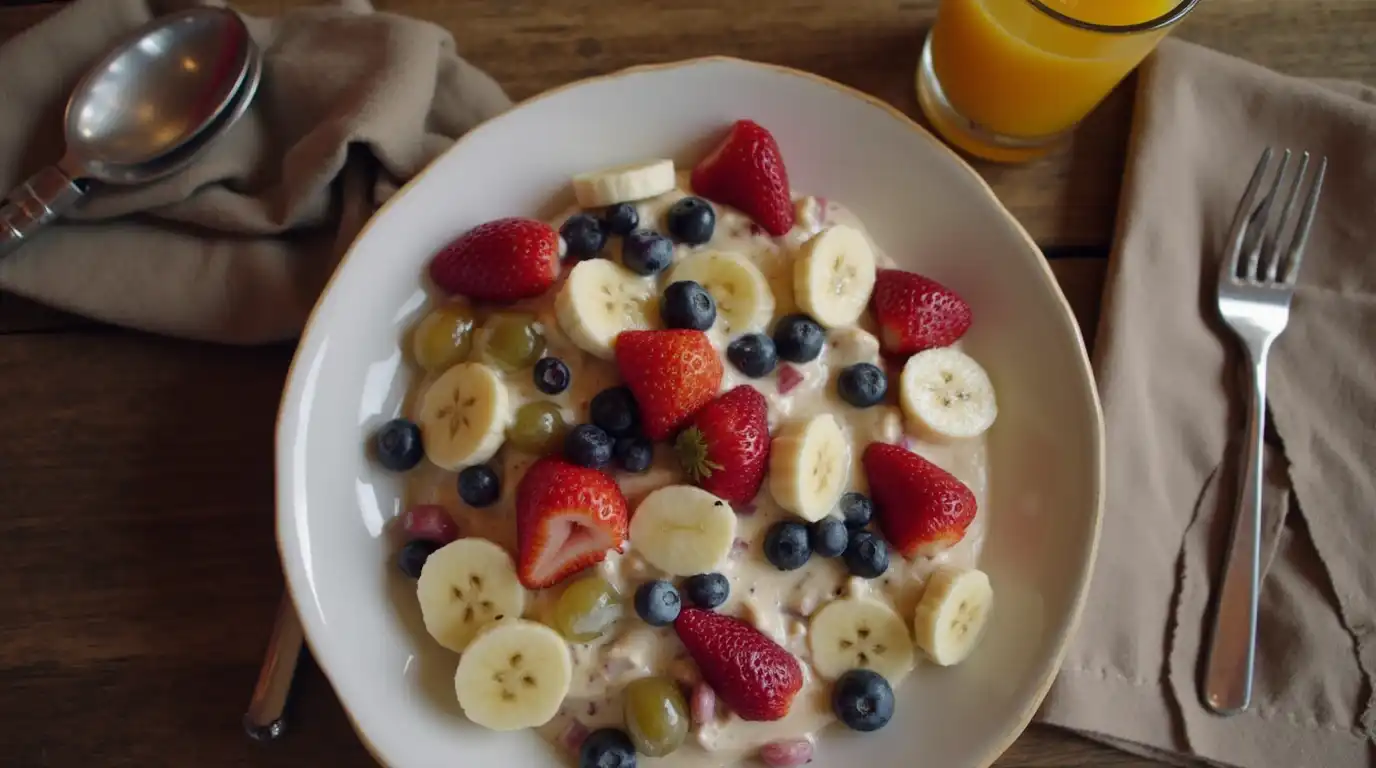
<point>746,171</point>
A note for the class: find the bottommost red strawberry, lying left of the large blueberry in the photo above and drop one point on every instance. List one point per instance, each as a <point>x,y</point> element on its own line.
<point>751,672</point>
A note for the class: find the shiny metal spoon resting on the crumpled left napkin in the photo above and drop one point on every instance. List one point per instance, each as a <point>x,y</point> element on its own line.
<point>149,108</point>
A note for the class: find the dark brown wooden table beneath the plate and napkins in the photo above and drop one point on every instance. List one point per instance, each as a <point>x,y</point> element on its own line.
<point>137,474</point>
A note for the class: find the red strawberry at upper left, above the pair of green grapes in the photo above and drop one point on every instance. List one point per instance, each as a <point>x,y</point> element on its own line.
<point>502,261</point>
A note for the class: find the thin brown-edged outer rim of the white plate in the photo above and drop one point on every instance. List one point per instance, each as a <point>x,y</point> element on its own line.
<point>1024,719</point>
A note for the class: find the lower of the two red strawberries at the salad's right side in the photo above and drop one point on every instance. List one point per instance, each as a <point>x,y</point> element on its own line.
<point>923,509</point>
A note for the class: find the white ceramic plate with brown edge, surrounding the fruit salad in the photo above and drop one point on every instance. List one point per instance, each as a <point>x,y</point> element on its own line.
<point>928,210</point>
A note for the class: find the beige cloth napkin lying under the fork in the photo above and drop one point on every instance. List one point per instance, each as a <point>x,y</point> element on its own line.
<point>1172,382</point>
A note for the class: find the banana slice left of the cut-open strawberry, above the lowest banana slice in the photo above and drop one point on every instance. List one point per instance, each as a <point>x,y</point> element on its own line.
<point>466,586</point>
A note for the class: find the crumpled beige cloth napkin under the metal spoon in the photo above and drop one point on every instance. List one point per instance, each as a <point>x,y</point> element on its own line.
<point>237,247</point>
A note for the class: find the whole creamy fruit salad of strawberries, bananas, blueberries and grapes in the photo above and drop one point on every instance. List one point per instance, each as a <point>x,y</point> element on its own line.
<point>693,471</point>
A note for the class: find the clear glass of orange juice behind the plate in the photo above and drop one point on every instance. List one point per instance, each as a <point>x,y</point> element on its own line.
<point>1005,79</point>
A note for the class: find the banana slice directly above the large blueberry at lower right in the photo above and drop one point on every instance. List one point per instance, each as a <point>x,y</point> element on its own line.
<point>858,632</point>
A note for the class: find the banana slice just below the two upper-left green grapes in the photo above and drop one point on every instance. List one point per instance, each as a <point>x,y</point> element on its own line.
<point>464,416</point>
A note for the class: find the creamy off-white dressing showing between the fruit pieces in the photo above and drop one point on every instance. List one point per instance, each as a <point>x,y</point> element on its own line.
<point>780,604</point>
